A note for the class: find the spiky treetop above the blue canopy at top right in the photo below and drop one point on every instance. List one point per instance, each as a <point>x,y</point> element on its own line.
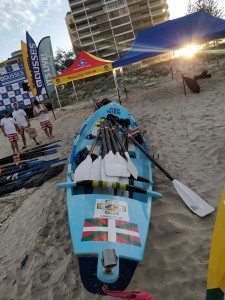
<point>209,6</point>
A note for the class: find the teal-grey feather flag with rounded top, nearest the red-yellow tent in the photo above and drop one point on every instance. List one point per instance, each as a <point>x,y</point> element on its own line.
<point>47,64</point>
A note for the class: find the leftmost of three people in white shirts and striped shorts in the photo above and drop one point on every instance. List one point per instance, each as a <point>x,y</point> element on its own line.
<point>9,129</point>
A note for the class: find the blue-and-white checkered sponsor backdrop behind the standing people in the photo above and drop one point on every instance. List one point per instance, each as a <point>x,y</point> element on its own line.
<point>11,79</point>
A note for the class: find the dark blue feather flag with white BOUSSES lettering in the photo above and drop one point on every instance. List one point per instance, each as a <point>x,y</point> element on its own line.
<point>34,64</point>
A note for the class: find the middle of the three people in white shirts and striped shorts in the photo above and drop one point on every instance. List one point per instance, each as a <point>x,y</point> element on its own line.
<point>23,123</point>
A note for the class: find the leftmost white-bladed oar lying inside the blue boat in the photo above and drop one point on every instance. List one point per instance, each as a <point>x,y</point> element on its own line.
<point>83,170</point>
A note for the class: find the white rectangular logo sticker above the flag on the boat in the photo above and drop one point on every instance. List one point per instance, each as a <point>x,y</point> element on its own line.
<point>113,209</point>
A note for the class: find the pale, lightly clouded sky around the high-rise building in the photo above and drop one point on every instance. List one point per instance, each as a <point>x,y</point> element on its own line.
<point>47,18</point>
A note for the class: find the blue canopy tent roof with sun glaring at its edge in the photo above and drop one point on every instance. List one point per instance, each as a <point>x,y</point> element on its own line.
<point>195,28</point>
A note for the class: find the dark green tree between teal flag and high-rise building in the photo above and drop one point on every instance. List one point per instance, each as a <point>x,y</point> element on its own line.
<point>63,60</point>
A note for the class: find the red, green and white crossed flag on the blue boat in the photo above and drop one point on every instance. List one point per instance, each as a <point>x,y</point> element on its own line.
<point>108,230</point>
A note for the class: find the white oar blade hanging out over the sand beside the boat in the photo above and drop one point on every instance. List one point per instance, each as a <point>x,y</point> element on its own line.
<point>192,200</point>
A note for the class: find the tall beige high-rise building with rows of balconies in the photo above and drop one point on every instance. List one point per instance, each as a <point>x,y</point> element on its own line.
<point>107,28</point>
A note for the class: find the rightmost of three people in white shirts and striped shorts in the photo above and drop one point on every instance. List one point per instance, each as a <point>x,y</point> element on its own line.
<point>41,111</point>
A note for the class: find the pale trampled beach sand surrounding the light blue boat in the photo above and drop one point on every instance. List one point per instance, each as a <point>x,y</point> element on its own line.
<point>187,132</point>
